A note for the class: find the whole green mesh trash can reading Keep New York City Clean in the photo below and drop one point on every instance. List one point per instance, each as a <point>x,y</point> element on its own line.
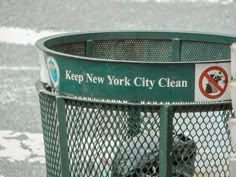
<point>135,104</point>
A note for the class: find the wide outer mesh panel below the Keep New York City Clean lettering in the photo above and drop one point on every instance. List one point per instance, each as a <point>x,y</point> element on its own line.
<point>106,140</point>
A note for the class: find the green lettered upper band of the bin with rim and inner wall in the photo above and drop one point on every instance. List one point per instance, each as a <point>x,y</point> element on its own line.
<point>134,66</point>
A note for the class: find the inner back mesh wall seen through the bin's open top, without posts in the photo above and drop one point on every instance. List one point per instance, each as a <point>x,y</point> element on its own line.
<point>148,50</point>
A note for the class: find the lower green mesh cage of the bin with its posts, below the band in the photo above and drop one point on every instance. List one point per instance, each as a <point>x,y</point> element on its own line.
<point>88,119</point>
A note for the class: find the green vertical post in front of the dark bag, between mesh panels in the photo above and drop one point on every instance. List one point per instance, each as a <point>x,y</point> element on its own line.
<point>166,139</point>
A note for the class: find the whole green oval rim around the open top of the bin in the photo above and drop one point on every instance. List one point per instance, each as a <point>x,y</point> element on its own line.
<point>146,35</point>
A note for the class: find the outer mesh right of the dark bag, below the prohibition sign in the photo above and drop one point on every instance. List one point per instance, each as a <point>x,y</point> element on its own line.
<point>208,128</point>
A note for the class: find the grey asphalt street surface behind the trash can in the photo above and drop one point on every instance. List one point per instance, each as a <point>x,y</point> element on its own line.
<point>20,122</point>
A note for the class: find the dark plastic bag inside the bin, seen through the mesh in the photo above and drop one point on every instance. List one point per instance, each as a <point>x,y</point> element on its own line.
<point>139,157</point>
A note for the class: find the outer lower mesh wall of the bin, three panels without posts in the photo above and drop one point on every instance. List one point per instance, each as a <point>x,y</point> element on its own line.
<point>123,140</point>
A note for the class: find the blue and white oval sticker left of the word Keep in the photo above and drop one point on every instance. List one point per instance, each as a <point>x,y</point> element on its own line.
<point>53,71</point>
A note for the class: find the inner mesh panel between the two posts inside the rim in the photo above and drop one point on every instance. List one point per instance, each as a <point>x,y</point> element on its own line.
<point>133,50</point>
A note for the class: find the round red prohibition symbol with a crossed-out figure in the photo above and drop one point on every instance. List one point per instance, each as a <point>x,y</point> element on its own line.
<point>213,82</point>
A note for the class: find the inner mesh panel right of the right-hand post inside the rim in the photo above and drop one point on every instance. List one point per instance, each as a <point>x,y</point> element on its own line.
<point>203,51</point>
